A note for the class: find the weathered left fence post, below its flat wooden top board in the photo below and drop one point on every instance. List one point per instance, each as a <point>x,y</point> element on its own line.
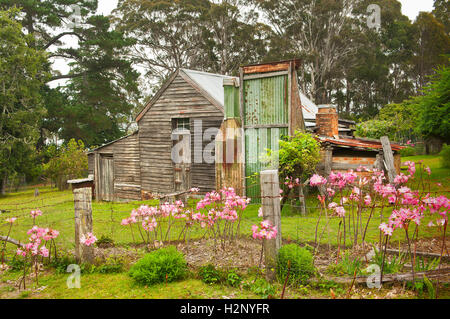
<point>83,223</point>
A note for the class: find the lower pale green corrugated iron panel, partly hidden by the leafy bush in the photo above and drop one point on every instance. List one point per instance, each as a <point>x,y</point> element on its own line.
<point>257,141</point>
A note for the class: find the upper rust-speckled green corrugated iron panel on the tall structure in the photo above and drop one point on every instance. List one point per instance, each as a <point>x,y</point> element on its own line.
<point>266,100</point>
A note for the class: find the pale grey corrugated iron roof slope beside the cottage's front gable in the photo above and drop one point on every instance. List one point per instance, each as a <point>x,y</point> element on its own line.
<point>210,82</point>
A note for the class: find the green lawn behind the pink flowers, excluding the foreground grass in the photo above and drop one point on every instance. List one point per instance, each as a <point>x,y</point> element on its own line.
<point>58,209</point>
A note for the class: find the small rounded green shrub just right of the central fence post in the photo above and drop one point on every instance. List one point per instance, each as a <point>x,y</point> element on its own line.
<point>301,264</point>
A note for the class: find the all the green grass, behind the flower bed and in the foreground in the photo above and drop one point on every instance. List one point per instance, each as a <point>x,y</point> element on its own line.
<point>58,213</point>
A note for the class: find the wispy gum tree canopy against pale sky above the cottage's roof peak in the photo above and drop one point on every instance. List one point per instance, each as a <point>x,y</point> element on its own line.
<point>205,35</point>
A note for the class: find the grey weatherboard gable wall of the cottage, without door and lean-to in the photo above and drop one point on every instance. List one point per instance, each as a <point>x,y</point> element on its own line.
<point>179,100</point>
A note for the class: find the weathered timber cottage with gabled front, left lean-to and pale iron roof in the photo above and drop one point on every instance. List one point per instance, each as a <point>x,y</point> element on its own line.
<point>141,164</point>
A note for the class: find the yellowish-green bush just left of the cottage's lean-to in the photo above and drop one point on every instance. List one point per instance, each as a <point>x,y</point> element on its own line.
<point>69,162</point>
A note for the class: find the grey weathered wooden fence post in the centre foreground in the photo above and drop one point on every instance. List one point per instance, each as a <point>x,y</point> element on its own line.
<point>270,193</point>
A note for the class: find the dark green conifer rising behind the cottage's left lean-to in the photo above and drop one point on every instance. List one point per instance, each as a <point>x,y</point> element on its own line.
<point>102,101</point>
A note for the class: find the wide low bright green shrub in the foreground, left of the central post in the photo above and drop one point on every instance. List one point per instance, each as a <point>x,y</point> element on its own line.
<point>163,265</point>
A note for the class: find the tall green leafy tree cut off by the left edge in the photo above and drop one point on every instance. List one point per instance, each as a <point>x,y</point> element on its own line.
<point>22,74</point>
